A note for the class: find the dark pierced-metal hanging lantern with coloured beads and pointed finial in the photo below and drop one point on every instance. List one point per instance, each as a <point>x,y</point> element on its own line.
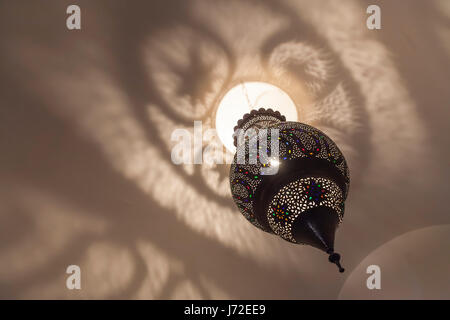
<point>298,191</point>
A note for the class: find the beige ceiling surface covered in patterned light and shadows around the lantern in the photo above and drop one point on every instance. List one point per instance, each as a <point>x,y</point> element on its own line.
<point>86,176</point>
